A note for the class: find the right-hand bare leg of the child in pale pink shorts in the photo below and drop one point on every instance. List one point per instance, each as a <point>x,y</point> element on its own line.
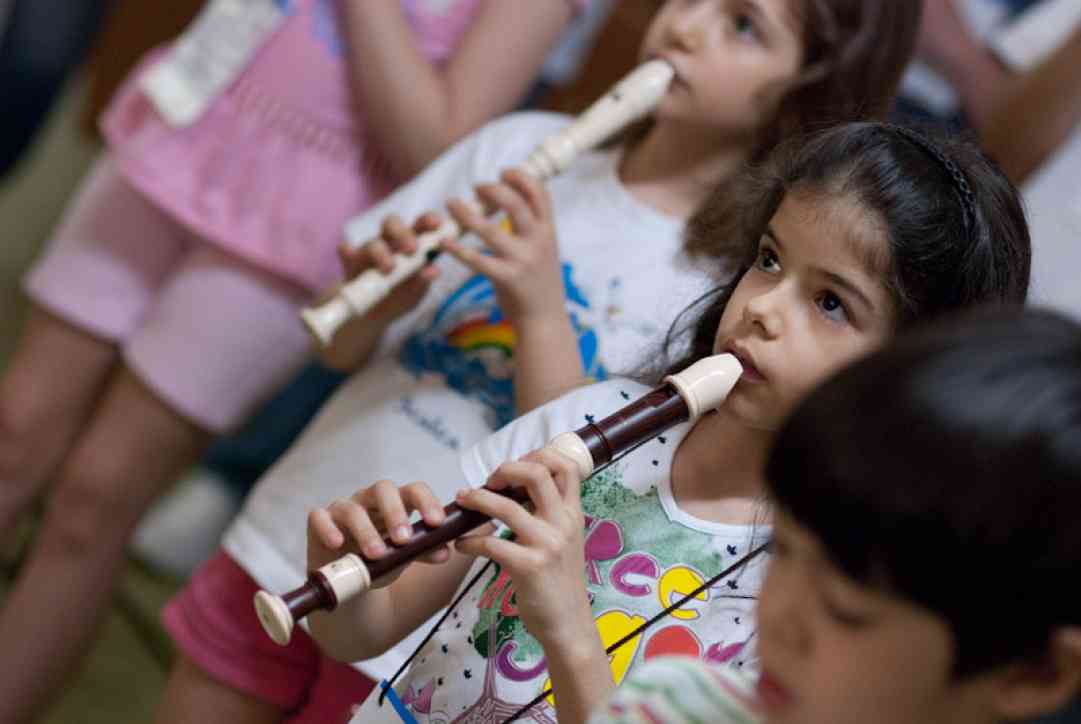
<point>135,445</point>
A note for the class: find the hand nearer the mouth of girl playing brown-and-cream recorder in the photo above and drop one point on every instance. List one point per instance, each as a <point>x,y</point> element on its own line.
<point>546,561</point>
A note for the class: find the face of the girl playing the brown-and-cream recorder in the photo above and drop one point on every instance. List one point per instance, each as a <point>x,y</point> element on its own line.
<point>815,301</point>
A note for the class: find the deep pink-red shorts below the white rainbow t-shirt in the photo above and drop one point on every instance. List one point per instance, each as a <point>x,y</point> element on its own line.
<point>215,625</point>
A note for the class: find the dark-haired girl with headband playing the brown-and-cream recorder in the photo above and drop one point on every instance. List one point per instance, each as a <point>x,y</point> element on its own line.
<point>861,231</point>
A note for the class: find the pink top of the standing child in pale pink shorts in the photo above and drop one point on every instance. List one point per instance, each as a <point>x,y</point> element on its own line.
<point>277,165</point>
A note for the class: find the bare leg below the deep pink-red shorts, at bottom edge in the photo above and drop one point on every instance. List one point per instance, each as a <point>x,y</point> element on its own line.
<point>194,696</point>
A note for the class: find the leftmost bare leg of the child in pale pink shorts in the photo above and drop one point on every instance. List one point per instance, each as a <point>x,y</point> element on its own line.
<point>47,394</point>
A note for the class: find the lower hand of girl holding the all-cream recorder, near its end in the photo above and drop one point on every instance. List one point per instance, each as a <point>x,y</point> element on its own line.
<point>395,238</point>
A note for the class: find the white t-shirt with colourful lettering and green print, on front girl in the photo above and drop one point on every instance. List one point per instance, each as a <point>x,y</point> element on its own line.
<point>643,554</point>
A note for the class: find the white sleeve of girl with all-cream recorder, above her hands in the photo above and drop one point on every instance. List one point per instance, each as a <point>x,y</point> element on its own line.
<point>478,158</point>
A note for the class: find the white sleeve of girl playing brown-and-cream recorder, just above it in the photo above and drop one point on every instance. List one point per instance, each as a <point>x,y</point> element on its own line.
<point>536,430</point>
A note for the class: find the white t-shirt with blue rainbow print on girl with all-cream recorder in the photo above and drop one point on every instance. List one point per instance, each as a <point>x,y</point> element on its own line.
<point>442,378</point>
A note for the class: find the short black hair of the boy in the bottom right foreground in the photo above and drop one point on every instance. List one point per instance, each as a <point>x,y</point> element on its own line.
<point>946,470</point>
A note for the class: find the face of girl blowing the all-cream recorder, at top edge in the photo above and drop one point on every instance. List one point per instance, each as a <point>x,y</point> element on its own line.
<point>735,60</point>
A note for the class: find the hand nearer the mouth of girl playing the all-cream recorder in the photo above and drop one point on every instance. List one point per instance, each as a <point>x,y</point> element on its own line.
<point>524,264</point>
